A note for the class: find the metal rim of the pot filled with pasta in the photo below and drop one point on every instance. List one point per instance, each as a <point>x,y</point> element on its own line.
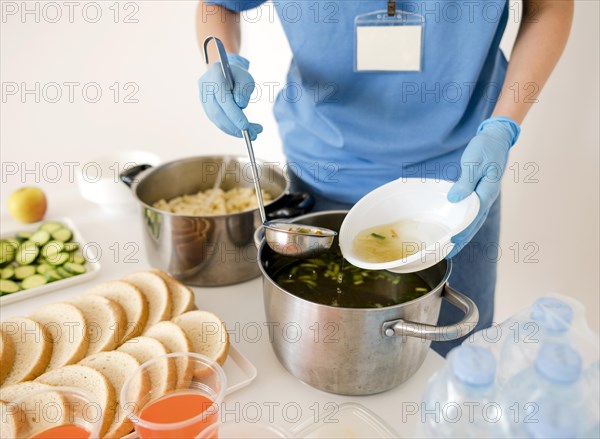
<point>146,173</point>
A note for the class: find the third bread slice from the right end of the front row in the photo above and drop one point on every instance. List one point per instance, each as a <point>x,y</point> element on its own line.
<point>163,375</point>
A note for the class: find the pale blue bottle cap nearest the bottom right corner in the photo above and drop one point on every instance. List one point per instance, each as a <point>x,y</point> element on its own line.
<point>558,362</point>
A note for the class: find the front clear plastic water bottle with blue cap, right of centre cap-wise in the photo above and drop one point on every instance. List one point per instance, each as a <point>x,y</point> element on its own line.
<point>532,395</point>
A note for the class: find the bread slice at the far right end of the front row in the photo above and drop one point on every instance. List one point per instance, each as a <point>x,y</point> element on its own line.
<point>206,332</point>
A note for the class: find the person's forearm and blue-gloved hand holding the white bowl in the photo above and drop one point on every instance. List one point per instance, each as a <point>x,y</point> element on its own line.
<point>541,39</point>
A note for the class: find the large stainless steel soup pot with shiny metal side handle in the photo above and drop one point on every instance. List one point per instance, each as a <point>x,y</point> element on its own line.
<point>353,351</point>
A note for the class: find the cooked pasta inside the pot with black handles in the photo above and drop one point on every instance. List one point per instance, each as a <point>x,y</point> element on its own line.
<point>213,202</point>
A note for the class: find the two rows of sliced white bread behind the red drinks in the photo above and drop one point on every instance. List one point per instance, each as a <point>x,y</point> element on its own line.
<point>98,339</point>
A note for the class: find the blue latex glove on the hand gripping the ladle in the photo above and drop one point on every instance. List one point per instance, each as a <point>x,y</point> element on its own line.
<point>223,107</point>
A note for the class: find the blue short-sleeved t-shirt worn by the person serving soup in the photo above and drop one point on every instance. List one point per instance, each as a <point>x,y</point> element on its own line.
<point>346,132</point>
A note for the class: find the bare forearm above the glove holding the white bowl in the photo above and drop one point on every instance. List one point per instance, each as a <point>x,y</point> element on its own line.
<point>542,37</point>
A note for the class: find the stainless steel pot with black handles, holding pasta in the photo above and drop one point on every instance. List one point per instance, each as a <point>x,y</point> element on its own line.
<point>207,250</point>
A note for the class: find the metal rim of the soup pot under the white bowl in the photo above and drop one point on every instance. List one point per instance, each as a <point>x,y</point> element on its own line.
<point>301,218</point>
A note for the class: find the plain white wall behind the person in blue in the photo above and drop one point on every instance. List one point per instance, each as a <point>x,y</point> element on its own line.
<point>558,214</point>
